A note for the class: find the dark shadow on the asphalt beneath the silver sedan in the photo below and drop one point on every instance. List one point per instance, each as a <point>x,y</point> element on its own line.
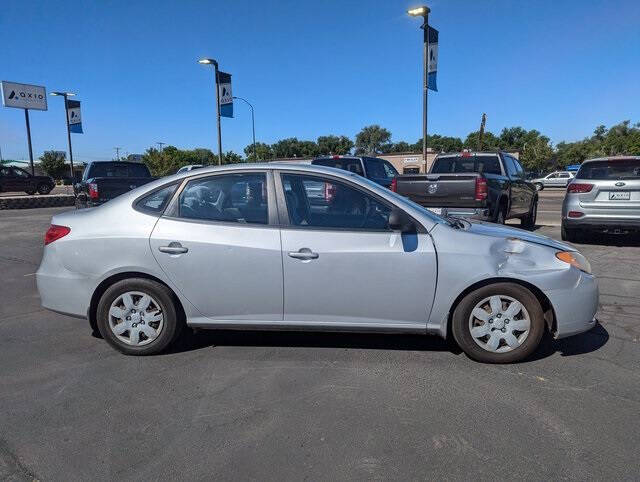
<point>199,339</point>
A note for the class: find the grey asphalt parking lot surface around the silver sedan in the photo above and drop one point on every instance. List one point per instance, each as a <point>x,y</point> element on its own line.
<point>293,406</point>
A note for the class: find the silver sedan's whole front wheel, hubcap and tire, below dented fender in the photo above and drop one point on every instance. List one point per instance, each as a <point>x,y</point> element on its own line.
<point>499,323</point>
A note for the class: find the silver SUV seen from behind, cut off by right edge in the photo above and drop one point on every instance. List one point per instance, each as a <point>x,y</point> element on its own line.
<point>604,196</point>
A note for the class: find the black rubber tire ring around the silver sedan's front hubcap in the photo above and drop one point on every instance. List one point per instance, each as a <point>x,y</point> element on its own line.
<point>462,334</point>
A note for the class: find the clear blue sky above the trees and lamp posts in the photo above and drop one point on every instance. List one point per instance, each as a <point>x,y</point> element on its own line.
<point>313,68</point>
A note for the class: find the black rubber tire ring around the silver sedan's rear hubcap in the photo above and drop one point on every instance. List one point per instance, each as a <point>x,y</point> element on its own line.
<point>172,324</point>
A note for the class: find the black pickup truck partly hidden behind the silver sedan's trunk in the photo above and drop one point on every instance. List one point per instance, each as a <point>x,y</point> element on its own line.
<point>102,181</point>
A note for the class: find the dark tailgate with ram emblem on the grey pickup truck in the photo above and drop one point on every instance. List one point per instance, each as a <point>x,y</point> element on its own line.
<point>440,190</point>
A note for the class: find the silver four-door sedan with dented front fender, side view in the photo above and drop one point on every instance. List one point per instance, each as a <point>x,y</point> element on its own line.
<point>214,249</point>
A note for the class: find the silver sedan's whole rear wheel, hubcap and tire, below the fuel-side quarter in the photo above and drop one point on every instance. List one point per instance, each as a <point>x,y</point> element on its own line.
<point>138,317</point>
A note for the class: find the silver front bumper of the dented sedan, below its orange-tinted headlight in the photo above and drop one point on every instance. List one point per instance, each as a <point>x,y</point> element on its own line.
<point>575,307</point>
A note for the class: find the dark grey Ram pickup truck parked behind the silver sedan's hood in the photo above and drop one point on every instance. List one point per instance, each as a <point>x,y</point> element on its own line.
<point>489,186</point>
